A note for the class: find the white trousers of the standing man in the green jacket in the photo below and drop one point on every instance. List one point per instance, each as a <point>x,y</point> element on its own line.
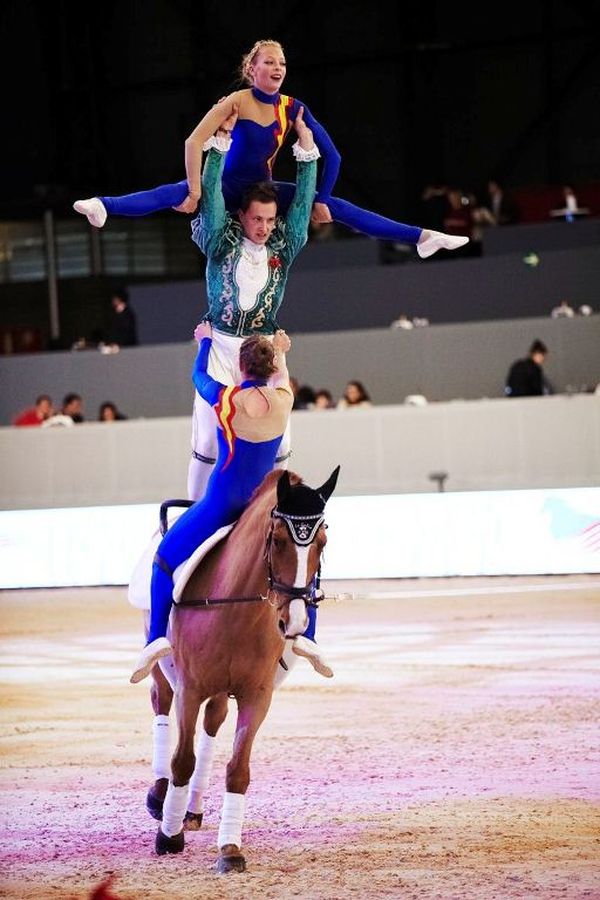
<point>223,366</point>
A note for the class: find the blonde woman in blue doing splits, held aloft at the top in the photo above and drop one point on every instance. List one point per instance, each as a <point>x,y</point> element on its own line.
<point>265,117</point>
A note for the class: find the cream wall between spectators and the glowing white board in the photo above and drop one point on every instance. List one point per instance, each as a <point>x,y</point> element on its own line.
<point>546,442</point>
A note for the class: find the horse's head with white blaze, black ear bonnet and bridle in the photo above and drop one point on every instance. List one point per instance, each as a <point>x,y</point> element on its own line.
<point>295,544</point>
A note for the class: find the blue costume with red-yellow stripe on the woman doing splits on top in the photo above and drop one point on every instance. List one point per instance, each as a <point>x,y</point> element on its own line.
<point>251,159</point>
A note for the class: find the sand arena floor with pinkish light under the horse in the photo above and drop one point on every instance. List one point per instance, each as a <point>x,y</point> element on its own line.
<point>454,754</point>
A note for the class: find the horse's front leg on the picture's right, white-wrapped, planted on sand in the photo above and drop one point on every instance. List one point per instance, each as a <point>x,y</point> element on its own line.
<point>251,713</point>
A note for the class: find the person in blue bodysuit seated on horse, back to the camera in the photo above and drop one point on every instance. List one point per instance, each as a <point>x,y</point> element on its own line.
<point>251,419</point>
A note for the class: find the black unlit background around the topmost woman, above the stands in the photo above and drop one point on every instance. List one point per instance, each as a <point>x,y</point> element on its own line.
<point>464,90</point>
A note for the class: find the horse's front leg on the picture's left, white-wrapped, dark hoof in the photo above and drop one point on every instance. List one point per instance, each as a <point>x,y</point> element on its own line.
<point>169,838</point>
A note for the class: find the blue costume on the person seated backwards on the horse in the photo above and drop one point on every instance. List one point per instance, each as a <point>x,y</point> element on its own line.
<point>240,468</point>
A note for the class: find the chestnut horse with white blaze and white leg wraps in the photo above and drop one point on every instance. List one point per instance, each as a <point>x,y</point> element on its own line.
<point>229,631</point>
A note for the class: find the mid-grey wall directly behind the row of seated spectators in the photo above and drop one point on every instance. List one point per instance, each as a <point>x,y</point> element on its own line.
<point>444,362</point>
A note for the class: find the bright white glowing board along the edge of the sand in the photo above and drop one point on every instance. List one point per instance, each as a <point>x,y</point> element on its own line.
<point>391,536</point>
